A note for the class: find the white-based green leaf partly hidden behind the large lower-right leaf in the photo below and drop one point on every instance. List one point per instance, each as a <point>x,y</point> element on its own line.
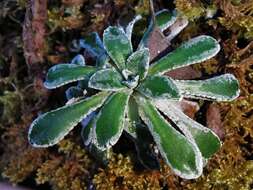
<point>207,141</point>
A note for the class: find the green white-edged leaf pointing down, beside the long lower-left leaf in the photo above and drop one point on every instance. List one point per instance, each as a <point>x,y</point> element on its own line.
<point>110,120</point>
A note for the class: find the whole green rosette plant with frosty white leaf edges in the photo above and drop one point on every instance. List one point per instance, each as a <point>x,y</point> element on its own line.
<point>132,93</point>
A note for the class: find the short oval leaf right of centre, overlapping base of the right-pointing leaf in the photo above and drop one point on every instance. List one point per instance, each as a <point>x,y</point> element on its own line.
<point>159,87</point>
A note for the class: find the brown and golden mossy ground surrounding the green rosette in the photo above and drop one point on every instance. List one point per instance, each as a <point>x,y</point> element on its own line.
<point>23,64</point>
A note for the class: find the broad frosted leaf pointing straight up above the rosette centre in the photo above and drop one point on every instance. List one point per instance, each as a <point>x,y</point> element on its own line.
<point>117,45</point>
